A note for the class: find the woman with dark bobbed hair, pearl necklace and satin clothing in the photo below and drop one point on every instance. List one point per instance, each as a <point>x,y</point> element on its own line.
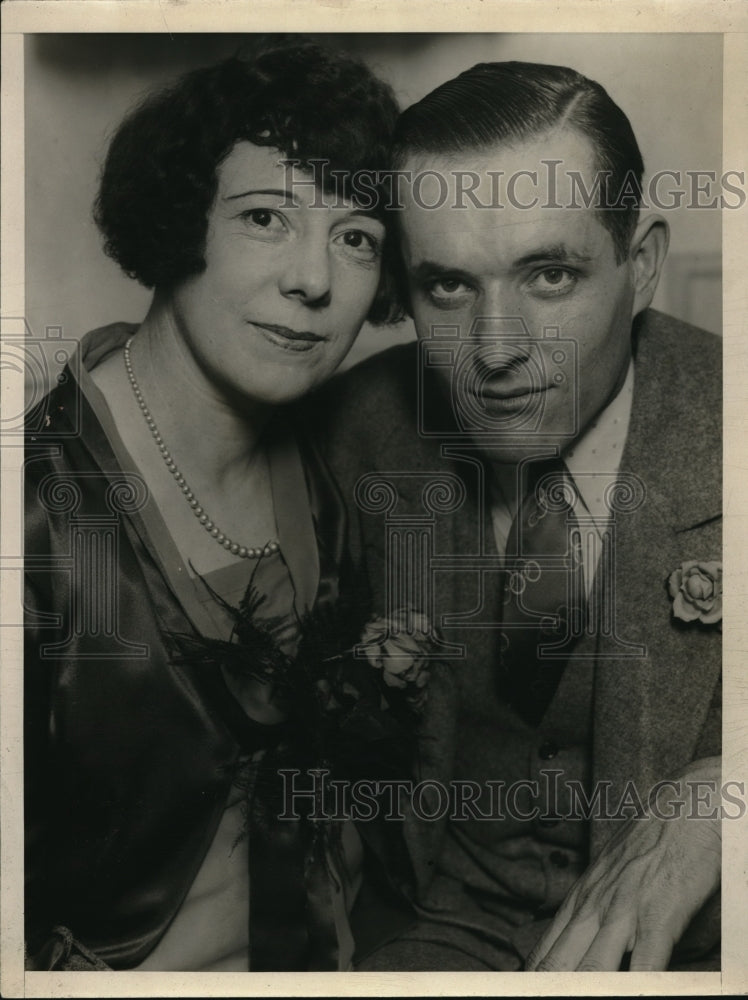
<point>165,489</point>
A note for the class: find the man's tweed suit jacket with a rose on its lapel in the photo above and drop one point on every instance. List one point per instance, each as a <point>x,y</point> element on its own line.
<point>652,713</point>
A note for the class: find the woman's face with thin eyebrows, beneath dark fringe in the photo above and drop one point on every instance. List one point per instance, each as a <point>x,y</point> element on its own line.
<point>289,279</point>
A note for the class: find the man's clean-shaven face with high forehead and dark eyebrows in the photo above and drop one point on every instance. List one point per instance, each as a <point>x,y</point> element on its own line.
<point>518,386</point>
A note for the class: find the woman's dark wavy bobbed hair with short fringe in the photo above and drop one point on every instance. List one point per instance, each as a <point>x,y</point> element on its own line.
<point>159,178</point>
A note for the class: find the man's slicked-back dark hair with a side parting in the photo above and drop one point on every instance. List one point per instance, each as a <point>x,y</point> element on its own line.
<point>509,101</point>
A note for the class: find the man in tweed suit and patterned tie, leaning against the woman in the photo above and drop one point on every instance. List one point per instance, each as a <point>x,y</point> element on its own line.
<point>571,559</point>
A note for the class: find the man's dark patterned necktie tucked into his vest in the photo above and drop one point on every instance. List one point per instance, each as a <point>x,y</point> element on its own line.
<point>543,591</point>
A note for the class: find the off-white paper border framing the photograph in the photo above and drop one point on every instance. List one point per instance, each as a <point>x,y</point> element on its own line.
<point>728,17</point>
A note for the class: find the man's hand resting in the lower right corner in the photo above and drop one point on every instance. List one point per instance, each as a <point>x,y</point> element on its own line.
<point>650,880</point>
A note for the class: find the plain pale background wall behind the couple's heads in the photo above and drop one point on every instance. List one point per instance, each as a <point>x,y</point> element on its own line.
<point>79,86</point>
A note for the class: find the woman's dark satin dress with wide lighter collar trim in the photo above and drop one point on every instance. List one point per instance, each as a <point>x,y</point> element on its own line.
<point>133,798</point>
